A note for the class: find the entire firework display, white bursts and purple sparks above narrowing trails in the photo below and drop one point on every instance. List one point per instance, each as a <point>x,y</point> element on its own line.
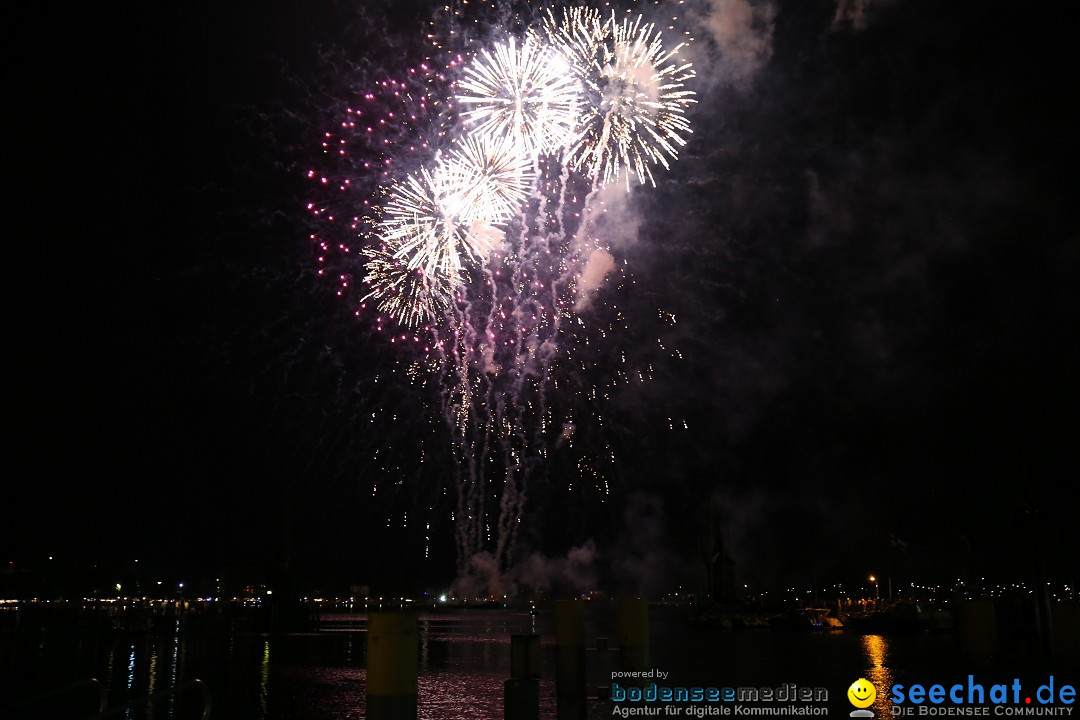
<point>479,252</point>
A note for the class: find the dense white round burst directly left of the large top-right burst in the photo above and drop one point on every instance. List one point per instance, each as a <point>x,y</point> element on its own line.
<point>525,93</point>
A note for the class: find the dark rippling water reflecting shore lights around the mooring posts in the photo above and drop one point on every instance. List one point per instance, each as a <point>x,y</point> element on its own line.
<point>465,658</point>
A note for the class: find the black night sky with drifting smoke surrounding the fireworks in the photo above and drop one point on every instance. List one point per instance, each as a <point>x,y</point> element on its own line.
<point>869,244</point>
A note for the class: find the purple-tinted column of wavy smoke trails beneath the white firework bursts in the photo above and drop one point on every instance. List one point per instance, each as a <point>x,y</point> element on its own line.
<point>506,341</point>
